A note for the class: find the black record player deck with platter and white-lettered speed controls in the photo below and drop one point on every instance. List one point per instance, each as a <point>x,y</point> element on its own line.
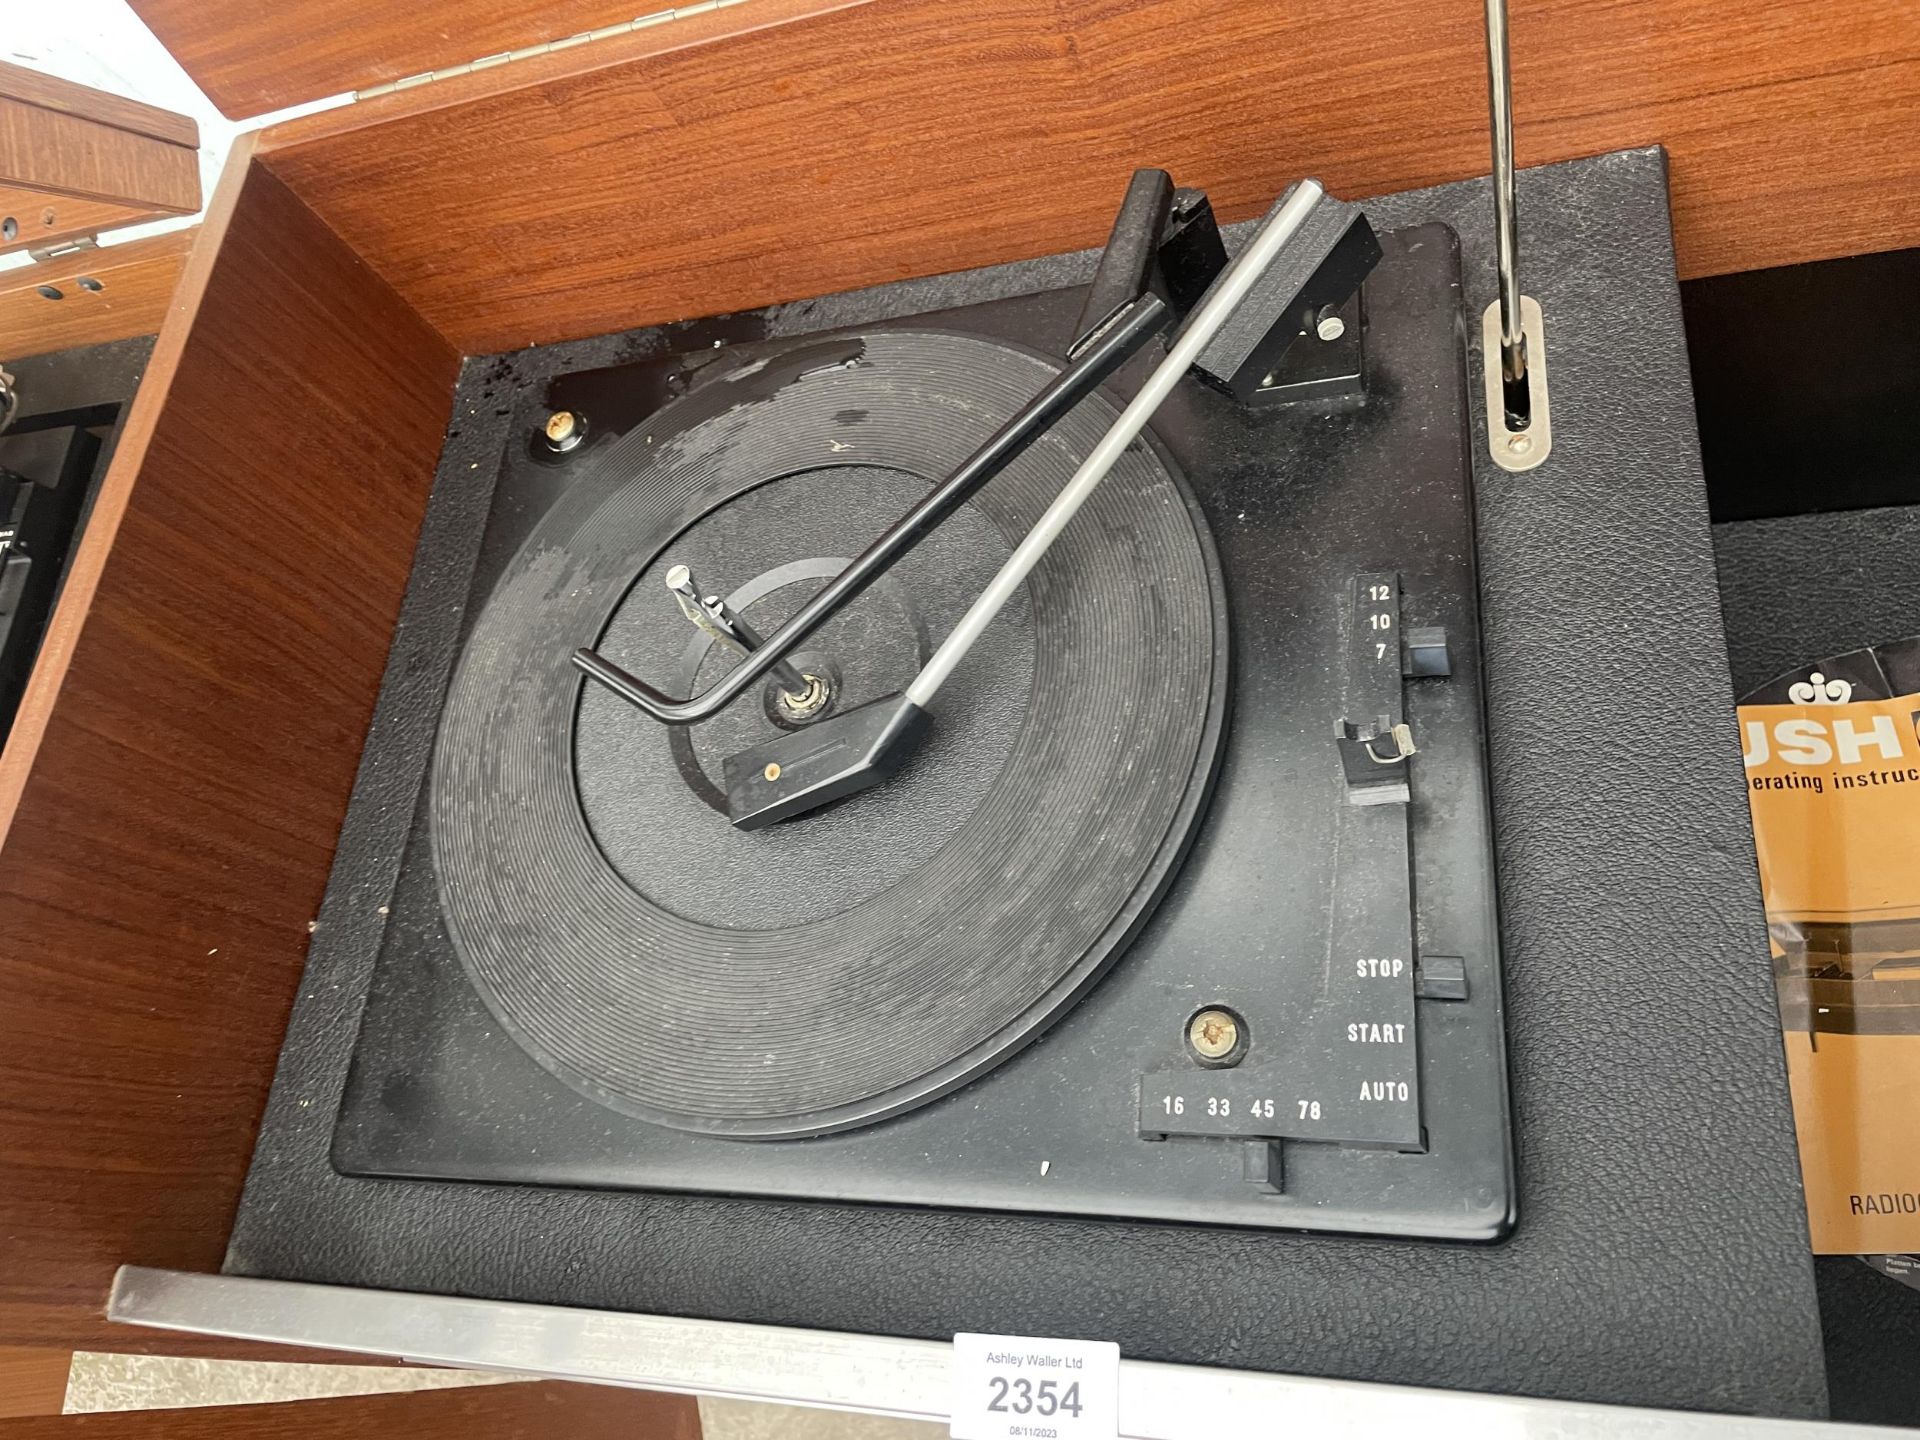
<point>1176,903</point>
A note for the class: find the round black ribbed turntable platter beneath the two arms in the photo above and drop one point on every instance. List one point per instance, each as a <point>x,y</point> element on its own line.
<point>857,963</point>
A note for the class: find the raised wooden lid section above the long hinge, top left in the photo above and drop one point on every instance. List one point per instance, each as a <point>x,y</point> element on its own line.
<point>252,57</point>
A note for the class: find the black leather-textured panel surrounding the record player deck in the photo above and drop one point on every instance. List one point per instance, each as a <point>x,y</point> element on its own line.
<point>1662,1247</point>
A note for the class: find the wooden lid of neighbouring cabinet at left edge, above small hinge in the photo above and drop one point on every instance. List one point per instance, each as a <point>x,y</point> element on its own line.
<point>72,156</point>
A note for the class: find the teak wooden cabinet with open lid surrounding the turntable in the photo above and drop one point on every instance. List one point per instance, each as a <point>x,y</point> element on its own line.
<point>181,767</point>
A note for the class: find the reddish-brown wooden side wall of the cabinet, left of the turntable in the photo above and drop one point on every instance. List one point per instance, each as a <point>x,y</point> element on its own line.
<point>216,658</point>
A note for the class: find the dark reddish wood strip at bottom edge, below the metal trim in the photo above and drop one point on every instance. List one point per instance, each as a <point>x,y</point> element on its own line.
<point>544,1410</point>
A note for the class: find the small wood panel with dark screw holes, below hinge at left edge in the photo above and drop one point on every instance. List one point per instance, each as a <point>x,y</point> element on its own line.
<point>128,295</point>
